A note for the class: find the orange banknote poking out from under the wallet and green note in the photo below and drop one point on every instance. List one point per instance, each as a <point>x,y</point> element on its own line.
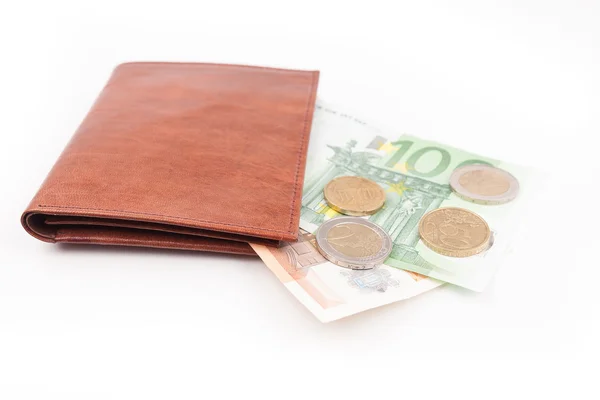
<point>331,292</point>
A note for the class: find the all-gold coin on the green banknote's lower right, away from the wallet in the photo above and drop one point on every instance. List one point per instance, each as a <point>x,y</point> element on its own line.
<point>454,232</point>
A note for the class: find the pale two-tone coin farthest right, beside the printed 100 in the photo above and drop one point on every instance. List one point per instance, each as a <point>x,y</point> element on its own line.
<point>484,184</point>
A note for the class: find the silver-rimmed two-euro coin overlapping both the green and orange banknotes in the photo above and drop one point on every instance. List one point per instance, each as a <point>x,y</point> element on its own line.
<point>353,242</point>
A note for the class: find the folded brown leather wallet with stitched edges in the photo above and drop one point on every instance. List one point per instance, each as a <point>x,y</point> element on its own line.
<point>183,156</point>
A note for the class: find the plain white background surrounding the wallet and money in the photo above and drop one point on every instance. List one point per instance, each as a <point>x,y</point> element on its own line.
<point>515,80</point>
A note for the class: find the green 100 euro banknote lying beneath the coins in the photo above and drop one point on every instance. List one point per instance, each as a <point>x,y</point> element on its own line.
<point>415,175</point>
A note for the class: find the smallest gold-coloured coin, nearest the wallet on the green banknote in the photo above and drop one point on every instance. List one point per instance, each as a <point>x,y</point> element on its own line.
<point>354,195</point>
